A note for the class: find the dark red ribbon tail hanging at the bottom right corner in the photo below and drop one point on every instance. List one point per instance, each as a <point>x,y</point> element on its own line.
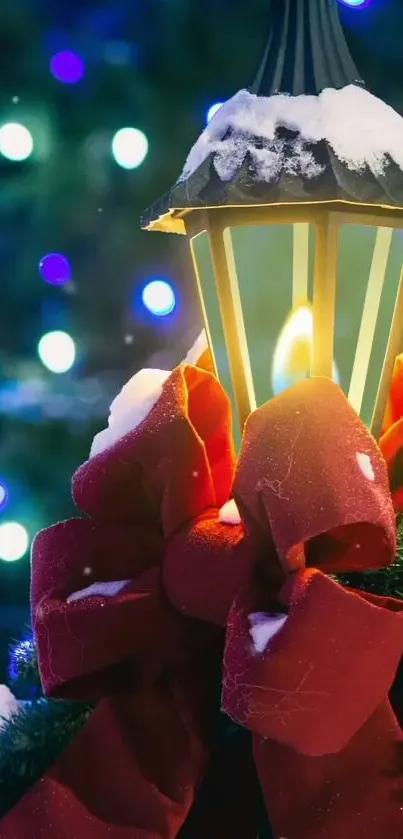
<point>356,794</point>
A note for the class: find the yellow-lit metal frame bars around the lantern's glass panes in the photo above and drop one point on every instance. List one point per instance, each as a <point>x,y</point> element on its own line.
<point>327,217</point>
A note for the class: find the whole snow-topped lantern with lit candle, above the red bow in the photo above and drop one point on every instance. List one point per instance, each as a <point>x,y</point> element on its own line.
<point>292,199</point>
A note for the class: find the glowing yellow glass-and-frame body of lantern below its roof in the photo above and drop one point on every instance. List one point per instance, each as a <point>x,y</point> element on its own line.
<point>293,291</point>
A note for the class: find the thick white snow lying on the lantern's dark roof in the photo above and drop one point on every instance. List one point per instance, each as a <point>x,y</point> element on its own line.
<point>360,128</point>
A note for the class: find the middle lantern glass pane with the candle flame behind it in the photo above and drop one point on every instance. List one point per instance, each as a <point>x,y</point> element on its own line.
<point>274,267</point>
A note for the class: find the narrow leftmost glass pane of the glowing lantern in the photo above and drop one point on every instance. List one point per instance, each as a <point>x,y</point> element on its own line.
<point>203,264</point>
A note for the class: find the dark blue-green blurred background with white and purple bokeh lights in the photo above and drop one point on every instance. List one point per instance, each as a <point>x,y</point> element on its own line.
<point>100,102</point>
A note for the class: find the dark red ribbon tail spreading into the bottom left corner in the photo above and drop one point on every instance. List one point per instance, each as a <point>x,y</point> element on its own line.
<point>131,773</point>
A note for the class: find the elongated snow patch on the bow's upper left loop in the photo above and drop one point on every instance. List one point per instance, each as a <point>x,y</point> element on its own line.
<point>130,407</point>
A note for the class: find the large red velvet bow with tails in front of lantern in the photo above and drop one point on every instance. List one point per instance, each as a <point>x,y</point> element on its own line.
<point>304,665</point>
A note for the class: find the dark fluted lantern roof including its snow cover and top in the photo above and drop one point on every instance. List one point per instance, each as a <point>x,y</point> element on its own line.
<point>306,131</point>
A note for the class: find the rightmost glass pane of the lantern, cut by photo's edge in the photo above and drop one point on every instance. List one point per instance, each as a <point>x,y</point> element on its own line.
<point>369,265</point>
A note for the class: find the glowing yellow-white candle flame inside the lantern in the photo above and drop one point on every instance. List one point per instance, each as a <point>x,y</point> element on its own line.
<point>293,352</point>
